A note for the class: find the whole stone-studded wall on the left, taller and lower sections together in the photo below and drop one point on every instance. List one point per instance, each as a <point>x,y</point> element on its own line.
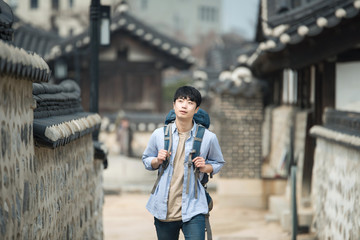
<point>45,193</point>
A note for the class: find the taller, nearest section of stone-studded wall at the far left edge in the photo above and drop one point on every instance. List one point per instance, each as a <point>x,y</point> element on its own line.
<point>17,153</point>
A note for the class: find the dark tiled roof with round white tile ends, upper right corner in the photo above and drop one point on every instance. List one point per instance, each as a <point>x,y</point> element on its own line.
<point>290,29</point>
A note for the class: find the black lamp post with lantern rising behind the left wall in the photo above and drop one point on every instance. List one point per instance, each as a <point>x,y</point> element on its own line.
<point>96,14</point>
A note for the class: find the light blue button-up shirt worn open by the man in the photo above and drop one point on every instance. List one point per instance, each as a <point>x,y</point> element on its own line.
<point>191,206</point>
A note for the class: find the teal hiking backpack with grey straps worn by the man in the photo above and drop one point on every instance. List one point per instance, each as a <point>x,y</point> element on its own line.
<point>202,120</point>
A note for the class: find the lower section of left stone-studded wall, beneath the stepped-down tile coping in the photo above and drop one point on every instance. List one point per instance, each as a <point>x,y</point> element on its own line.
<point>68,195</point>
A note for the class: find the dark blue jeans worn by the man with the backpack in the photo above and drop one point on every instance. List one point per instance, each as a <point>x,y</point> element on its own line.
<point>192,230</point>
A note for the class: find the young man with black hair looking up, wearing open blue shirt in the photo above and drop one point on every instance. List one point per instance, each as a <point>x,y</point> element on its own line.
<point>174,204</point>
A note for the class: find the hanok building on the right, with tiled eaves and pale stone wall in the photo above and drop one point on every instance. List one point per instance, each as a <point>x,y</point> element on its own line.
<point>309,55</point>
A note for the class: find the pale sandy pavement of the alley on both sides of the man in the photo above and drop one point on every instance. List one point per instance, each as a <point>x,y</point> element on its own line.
<point>127,186</point>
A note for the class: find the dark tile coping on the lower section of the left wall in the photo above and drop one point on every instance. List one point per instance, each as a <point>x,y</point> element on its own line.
<point>59,117</point>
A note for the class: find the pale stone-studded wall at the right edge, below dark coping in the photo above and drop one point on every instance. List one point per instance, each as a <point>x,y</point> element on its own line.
<point>336,182</point>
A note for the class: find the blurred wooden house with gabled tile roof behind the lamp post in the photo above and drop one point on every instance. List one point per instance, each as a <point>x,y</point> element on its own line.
<point>131,66</point>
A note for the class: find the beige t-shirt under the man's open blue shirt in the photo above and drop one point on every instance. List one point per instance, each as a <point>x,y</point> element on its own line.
<point>176,185</point>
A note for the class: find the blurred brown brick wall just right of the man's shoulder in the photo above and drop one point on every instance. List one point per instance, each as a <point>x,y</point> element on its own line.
<point>238,124</point>
